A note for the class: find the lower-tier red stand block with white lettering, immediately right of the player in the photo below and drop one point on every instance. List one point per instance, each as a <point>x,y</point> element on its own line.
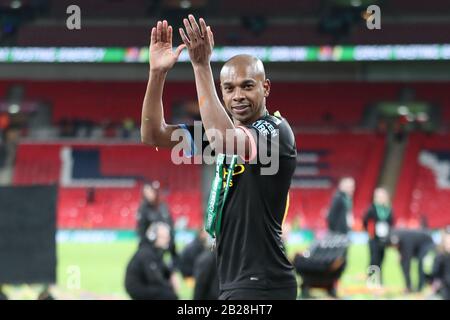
<point>322,161</point>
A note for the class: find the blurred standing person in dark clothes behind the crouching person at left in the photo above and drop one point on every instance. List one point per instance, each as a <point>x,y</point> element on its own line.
<point>152,210</point>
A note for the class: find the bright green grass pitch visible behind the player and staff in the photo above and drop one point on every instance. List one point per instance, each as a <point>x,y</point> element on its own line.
<point>102,267</point>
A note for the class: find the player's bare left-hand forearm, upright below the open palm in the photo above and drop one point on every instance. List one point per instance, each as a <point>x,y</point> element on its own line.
<point>152,120</point>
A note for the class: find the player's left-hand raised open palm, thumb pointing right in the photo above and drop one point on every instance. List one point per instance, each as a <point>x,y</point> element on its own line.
<point>162,56</point>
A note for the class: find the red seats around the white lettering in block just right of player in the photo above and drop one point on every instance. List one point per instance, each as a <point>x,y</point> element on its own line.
<point>357,155</point>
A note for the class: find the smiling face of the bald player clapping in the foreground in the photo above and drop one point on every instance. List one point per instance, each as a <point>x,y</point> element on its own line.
<point>244,91</point>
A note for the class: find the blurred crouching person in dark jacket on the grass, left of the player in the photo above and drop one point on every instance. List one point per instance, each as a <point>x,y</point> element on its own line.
<point>147,276</point>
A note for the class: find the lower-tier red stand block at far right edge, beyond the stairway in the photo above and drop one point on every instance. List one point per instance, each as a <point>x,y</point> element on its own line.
<point>424,188</point>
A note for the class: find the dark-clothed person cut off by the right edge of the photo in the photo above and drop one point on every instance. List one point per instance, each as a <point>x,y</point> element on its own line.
<point>441,267</point>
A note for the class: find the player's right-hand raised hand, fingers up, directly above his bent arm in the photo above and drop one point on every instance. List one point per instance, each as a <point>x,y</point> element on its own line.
<point>198,39</point>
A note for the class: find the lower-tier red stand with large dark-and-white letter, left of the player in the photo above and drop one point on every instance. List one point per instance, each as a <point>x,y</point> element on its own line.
<point>110,179</point>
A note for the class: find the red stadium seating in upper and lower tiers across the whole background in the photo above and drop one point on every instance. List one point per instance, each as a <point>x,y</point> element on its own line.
<point>339,107</point>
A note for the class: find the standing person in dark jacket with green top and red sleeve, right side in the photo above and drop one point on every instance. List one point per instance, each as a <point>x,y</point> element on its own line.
<point>378,222</point>
